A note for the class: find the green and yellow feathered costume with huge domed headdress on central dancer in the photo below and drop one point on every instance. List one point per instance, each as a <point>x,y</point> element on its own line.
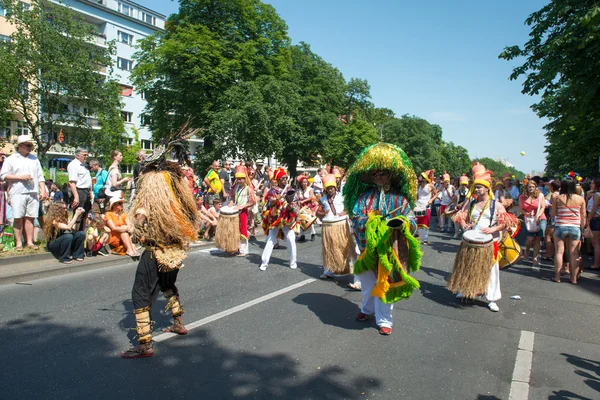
<point>381,220</point>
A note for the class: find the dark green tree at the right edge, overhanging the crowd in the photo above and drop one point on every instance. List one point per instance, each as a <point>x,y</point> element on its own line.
<point>561,65</point>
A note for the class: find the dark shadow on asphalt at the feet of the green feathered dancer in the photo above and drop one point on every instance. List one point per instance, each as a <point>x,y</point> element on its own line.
<point>333,310</point>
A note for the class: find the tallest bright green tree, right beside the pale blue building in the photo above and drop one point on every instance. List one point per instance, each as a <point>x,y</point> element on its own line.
<point>208,47</point>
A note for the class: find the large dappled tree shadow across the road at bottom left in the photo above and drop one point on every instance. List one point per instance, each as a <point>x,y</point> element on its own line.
<point>43,359</point>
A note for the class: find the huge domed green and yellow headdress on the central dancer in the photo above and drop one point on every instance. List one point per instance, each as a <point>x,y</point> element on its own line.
<point>380,156</point>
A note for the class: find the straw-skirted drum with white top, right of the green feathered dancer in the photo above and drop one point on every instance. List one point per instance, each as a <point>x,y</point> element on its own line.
<point>472,265</point>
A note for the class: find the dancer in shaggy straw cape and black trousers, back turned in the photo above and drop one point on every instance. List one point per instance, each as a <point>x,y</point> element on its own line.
<point>166,220</point>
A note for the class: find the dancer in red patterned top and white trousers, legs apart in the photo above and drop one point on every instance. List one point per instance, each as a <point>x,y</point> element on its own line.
<point>279,218</point>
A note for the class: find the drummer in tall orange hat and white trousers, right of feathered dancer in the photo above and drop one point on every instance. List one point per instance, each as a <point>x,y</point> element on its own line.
<point>488,216</point>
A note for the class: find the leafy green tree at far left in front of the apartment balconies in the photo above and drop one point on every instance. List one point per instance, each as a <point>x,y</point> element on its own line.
<point>51,76</point>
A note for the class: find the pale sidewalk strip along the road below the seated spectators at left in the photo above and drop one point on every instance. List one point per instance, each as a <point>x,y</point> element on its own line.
<point>19,269</point>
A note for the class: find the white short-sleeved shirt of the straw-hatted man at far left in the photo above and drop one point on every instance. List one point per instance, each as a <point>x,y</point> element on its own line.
<point>16,164</point>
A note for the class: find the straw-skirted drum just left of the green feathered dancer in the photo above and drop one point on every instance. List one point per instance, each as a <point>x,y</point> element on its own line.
<point>338,245</point>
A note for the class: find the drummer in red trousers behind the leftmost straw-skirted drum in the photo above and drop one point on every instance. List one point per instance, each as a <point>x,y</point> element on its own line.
<point>242,198</point>
